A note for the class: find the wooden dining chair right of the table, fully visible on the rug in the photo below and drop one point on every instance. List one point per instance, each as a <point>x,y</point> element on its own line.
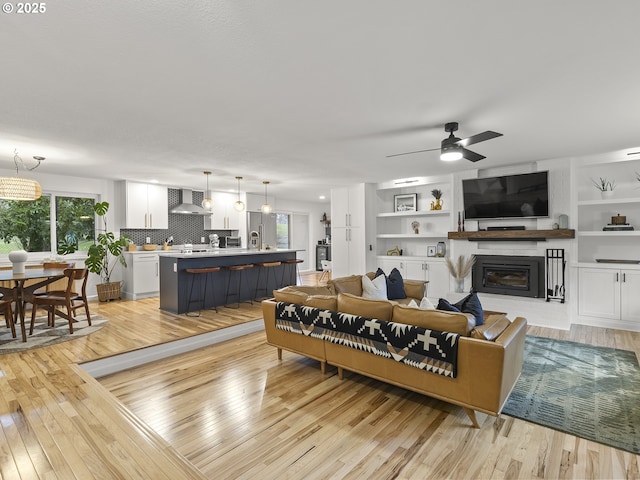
<point>67,298</point>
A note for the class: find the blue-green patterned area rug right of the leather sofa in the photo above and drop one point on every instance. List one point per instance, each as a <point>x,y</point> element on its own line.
<point>586,391</point>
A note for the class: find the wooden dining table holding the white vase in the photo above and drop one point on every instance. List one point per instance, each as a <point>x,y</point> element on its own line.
<point>21,293</point>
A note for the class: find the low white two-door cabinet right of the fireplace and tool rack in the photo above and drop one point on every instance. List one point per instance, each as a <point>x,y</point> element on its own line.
<point>609,293</point>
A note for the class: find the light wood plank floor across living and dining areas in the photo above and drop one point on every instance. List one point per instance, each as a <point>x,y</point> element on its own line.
<point>233,410</point>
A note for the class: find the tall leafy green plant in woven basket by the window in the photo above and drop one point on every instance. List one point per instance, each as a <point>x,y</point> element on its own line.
<point>104,255</point>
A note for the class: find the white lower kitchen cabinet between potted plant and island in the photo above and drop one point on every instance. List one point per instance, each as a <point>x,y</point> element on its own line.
<point>142,275</point>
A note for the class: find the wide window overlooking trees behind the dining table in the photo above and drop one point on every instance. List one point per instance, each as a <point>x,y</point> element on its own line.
<point>27,224</point>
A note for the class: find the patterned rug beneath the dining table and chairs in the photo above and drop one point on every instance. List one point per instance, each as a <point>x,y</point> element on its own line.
<point>44,336</point>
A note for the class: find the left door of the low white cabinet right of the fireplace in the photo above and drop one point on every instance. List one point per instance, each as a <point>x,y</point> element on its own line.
<point>599,293</point>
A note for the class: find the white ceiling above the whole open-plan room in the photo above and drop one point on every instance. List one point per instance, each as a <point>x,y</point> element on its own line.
<point>311,94</point>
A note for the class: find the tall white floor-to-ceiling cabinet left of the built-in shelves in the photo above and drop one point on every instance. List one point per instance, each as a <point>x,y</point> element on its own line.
<point>348,233</point>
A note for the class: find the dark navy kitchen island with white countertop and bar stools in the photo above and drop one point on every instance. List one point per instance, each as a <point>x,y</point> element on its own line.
<point>175,281</point>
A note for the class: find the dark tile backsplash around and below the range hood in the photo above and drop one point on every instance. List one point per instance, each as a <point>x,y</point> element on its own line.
<point>183,228</point>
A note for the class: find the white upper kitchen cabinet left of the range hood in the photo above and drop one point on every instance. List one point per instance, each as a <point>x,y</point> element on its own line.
<point>146,206</point>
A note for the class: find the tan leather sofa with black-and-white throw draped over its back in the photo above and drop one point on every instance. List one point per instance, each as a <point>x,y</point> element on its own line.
<point>489,357</point>
